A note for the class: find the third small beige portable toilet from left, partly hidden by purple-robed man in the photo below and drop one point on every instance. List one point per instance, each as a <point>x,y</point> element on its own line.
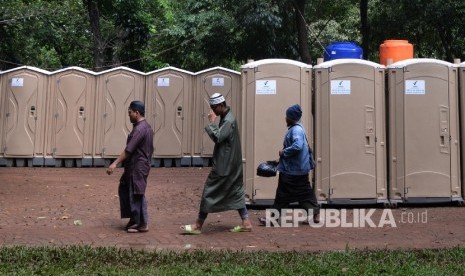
<point>116,89</point>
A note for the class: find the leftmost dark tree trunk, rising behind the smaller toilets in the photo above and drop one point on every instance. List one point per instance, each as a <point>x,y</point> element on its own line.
<point>99,45</point>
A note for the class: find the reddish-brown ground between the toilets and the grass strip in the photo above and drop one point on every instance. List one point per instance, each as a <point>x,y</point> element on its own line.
<point>80,206</point>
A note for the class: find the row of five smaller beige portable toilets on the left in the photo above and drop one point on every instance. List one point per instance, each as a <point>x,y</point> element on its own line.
<point>75,117</point>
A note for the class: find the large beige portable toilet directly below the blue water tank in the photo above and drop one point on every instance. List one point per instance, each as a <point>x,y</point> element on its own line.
<point>350,138</point>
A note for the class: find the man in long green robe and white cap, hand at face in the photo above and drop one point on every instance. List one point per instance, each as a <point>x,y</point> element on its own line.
<point>224,188</point>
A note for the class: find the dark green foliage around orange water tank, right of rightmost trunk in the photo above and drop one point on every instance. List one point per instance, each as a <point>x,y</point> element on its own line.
<point>434,27</point>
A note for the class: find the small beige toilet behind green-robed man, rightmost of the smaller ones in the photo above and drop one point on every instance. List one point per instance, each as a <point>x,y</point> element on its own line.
<point>207,82</point>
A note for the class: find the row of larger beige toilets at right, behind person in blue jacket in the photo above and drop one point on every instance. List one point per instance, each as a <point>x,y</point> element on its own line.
<point>380,134</point>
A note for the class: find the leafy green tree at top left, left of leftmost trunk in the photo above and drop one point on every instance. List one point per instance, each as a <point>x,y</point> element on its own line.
<point>42,34</point>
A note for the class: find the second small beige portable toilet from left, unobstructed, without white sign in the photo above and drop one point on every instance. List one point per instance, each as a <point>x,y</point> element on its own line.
<point>70,123</point>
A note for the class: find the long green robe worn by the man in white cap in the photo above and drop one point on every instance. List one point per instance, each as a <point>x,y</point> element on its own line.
<point>224,188</point>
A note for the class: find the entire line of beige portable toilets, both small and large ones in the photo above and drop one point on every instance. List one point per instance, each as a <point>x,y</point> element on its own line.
<point>370,146</point>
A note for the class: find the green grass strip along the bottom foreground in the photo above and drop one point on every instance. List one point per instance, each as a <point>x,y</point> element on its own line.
<point>86,260</point>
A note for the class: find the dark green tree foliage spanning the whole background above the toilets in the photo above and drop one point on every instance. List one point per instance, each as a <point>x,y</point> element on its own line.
<point>198,34</point>
